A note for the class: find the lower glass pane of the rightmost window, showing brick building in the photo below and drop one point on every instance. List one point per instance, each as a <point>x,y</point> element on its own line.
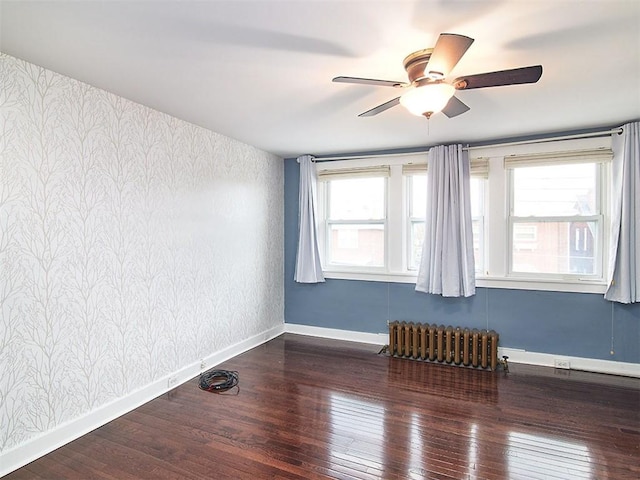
<point>555,247</point>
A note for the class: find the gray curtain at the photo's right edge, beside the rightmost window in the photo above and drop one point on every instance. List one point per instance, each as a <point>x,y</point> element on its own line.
<point>624,257</point>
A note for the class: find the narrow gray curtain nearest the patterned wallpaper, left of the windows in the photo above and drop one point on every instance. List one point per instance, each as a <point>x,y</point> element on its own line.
<point>308,266</point>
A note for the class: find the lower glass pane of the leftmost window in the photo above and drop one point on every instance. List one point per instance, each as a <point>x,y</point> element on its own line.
<point>358,245</point>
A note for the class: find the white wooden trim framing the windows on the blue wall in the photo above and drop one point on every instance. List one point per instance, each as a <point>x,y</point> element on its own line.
<point>496,253</point>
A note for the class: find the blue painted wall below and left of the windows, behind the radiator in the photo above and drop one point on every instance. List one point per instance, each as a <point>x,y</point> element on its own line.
<point>573,324</point>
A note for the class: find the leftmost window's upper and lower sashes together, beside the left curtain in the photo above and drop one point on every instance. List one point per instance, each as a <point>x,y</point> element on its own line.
<point>356,220</point>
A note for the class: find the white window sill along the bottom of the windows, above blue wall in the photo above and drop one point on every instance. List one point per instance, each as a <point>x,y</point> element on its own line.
<point>483,282</point>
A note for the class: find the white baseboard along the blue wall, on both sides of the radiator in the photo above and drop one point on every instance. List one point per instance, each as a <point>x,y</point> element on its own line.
<point>515,355</point>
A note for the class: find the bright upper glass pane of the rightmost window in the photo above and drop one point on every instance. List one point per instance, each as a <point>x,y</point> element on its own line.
<point>552,190</point>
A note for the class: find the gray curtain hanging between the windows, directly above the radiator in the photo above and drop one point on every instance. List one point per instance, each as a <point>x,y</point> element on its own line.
<point>447,266</point>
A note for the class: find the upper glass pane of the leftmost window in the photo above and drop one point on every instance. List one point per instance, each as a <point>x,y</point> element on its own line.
<point>357,199</point>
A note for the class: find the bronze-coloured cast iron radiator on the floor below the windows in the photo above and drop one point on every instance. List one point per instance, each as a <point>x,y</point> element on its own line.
<point>453,345</point>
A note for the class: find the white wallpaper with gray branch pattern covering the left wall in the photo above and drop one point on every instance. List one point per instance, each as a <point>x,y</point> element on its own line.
<point>131,244</point>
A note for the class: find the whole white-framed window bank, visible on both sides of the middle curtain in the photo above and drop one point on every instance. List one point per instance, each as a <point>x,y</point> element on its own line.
<point>538,212</point>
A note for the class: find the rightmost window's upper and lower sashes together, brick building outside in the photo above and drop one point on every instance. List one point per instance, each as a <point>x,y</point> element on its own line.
<point>556,222</point>
